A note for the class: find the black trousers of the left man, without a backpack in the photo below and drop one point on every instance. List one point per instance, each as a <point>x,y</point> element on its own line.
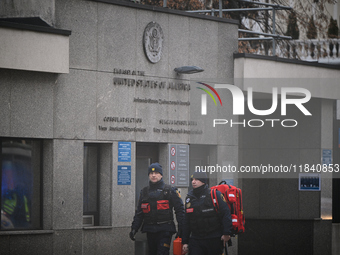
<point>159,243</point>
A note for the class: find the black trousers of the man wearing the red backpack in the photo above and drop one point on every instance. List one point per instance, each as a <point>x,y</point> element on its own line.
<point>209,246</point>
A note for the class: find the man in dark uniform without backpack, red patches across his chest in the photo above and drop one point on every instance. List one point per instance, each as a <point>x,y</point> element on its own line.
<point>155,211</point>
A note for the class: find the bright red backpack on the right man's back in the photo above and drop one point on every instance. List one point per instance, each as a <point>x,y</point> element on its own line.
<point>233,197</point>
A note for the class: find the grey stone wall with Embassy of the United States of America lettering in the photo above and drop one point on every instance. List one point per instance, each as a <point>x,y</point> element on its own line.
<point>112,93</point>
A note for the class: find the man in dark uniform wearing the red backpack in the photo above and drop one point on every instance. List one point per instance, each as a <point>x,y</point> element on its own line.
<point>206,230</point>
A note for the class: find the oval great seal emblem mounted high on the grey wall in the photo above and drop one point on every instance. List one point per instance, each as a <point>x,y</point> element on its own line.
<point>153,42</point>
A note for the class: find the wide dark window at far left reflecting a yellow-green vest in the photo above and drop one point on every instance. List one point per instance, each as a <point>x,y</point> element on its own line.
<point>20,183</point>
